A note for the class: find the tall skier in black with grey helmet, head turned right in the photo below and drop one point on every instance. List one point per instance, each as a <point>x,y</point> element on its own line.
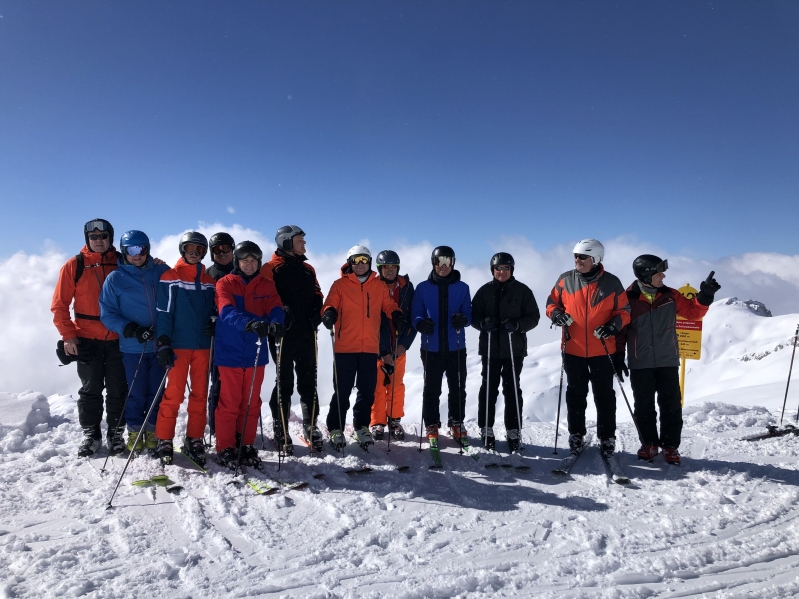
<point>302,298</point>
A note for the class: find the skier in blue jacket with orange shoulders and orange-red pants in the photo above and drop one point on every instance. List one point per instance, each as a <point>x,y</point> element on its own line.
<point>186,303</point>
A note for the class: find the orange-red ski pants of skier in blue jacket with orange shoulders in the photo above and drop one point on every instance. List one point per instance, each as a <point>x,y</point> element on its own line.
<point>189,363</point>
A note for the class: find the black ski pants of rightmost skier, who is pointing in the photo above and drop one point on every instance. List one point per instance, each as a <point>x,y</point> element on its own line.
<point>665,382</point>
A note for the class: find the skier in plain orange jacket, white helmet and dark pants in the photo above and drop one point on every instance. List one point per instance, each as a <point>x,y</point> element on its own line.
<point>354,306</point>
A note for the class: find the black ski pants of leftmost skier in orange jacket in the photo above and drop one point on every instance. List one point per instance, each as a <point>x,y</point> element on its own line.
<point>104,371</point>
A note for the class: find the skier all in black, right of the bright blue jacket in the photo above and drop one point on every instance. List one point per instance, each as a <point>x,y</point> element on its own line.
<point>503,310</point>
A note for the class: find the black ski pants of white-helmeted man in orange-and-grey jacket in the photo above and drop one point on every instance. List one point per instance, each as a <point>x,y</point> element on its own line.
<point>599,372</point>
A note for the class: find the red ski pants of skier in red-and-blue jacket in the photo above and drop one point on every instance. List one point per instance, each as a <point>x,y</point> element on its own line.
<point>235,383</point>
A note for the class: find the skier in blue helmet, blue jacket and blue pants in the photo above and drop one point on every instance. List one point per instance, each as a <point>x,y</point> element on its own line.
<point>128,307</point>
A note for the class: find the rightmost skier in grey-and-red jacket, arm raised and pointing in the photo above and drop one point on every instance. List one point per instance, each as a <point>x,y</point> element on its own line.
<point>654,354</point>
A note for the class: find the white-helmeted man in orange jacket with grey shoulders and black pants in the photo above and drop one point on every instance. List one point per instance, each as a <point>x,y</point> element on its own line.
<point>591,306</point>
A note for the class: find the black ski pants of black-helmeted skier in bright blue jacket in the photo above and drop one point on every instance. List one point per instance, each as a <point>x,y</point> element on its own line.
<point>436,365</point>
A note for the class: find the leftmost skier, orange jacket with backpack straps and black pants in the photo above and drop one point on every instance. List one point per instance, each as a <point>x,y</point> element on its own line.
<point>88,341</point>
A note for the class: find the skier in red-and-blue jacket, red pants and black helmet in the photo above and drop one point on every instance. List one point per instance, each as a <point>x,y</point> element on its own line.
<point>249,310</point>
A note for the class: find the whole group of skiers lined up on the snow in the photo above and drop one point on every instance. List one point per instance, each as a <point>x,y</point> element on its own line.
<point>141,331</point>
